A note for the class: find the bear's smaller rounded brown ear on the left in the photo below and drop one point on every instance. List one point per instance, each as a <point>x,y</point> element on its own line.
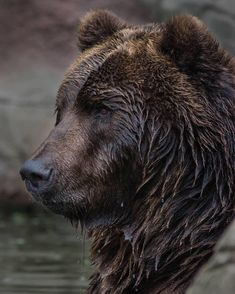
<point>96,26</point>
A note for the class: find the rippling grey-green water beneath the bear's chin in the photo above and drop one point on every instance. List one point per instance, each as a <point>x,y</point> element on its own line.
<point>41,253</point>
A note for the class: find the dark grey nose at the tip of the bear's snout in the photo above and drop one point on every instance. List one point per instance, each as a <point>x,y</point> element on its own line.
<point>36,175</point>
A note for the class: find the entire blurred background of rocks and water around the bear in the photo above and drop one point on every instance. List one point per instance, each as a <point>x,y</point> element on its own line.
<point>41,252</point>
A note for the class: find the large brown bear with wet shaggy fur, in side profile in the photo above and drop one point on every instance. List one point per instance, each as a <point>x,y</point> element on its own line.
<point>142,152</point>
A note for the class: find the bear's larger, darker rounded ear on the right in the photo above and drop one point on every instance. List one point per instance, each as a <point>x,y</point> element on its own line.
<point>189,44</point>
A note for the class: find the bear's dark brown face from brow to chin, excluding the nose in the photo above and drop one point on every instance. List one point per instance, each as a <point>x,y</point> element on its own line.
<point>93,149</point>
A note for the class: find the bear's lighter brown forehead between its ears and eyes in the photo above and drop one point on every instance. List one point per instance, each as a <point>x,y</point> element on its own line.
<point>131,58</point>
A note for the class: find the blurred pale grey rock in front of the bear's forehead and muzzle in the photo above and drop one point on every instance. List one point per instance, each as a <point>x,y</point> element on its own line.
<point>26,115</point>
